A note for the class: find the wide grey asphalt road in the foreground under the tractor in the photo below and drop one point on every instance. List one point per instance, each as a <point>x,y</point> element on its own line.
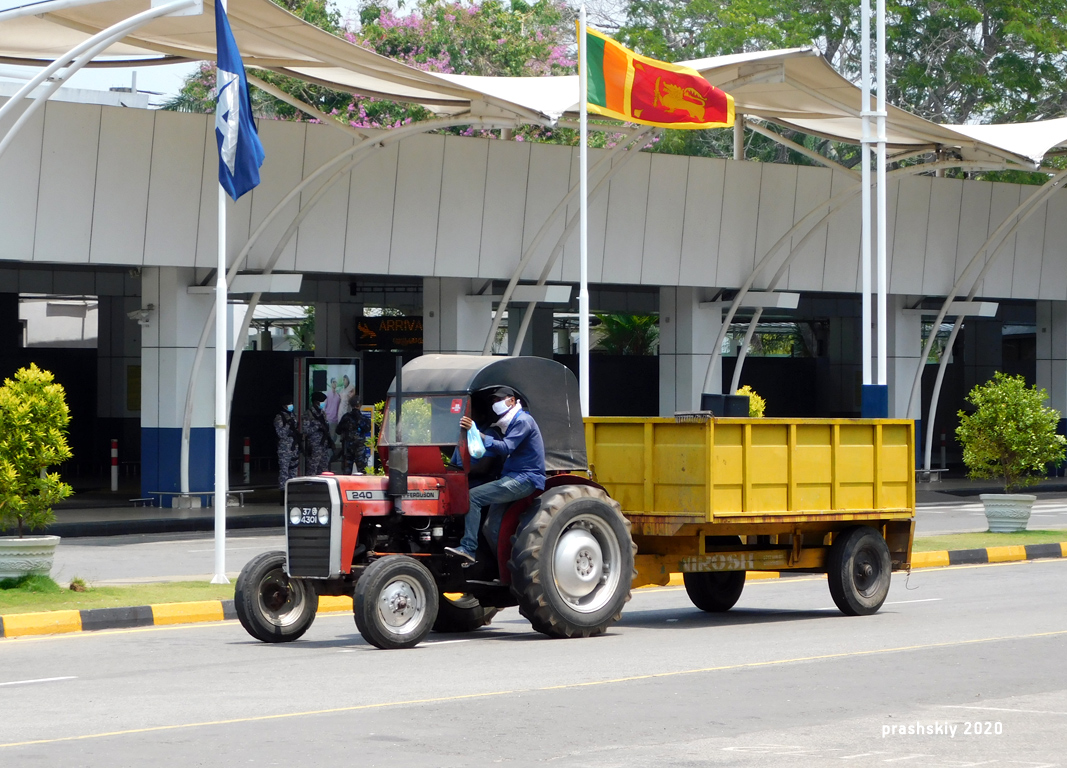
<point>783,680</point>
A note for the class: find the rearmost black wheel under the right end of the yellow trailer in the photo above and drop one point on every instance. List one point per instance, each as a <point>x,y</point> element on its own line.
<point>859,570</point>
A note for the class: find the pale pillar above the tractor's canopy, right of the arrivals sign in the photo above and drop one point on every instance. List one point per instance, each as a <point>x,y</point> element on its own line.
<point>454,322</point>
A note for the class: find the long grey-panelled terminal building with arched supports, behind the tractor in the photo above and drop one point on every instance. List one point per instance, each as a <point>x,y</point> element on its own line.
<point>411,243</point>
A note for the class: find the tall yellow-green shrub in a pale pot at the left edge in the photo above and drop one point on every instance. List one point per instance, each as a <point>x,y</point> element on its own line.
<point>34,425</point>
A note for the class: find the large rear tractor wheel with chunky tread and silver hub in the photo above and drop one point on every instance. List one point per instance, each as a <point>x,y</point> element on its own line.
<point>572,565</point>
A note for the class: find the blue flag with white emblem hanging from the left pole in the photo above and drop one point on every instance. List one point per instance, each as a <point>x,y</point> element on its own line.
<point>241,153</point>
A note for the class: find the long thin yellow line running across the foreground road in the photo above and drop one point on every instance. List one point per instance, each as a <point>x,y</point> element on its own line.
<point>566,686</point>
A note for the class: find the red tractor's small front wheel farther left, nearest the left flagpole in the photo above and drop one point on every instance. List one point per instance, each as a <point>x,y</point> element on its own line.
<point>273,606</point>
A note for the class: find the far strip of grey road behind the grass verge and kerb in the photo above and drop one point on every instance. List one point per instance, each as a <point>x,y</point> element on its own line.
<point>192,556</point>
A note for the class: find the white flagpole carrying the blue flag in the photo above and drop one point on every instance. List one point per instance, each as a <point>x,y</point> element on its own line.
<point>221,443</point>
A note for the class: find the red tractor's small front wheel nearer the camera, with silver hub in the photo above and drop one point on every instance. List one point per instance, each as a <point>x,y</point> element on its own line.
<point>395,603</point>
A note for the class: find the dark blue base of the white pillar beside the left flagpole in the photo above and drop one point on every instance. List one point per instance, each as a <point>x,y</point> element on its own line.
<point>162,460</point>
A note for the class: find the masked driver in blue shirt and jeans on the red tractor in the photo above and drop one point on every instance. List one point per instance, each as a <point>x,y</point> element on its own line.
<point>523,473</point>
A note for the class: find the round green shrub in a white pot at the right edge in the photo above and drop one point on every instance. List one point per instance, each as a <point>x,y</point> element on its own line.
<point>1012,437</point>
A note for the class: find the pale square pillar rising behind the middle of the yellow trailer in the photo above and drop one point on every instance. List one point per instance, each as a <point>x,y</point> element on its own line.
<point>688,333</point>
